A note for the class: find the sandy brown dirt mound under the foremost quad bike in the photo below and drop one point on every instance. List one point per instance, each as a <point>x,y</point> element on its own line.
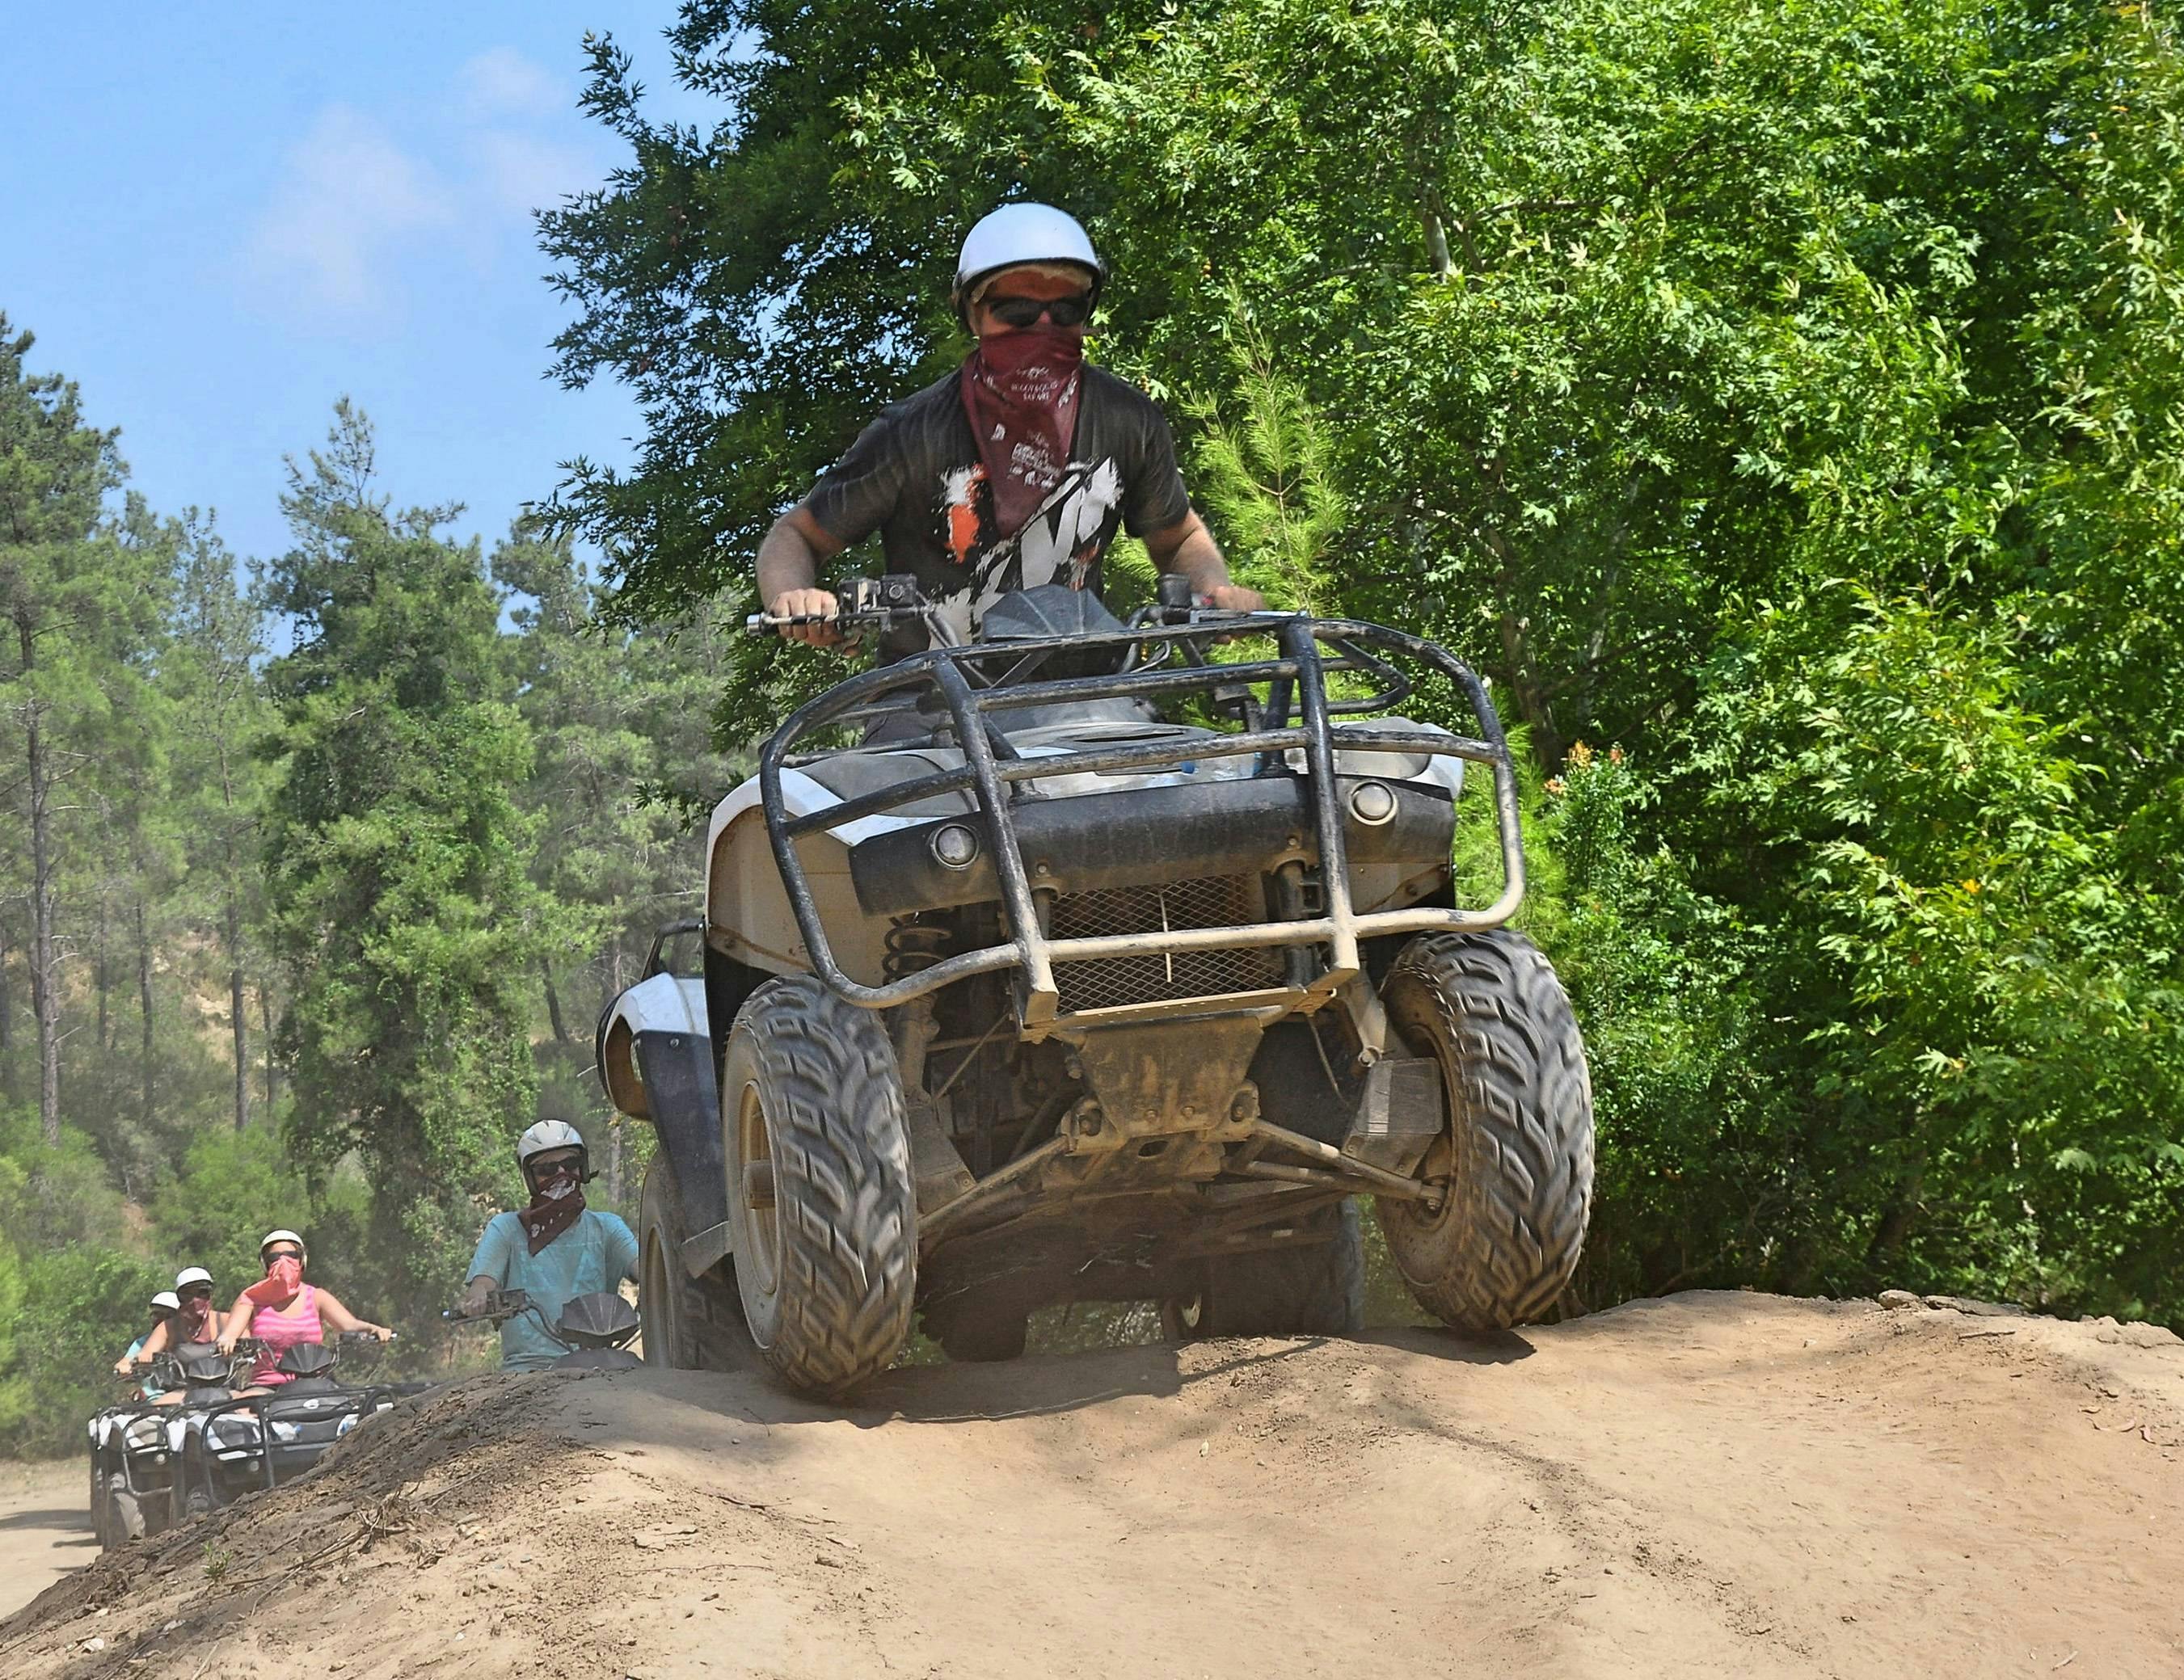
<point>1713,1484</point>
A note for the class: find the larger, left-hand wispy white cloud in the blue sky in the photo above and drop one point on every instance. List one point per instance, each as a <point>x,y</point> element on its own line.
<point>348,200</point>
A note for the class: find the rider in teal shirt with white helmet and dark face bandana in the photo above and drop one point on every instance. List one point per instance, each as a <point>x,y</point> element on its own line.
<point>554,1249</point>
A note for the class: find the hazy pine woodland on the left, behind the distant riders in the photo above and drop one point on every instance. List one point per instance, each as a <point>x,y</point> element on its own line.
<point>318,875</point>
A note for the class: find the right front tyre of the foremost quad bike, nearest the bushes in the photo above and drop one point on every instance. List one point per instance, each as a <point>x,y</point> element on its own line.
<point>1506,1242</point>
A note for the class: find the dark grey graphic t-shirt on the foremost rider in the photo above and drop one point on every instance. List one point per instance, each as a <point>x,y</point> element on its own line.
<point>914,477</point>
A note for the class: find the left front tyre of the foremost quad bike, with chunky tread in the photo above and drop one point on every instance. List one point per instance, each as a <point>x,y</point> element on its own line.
<point>820,1196</point>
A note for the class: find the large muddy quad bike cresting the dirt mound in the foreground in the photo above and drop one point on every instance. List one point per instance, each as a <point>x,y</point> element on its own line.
<point>1014,989</point>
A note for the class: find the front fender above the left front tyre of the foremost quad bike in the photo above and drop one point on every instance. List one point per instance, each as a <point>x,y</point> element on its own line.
<point>748,914</point>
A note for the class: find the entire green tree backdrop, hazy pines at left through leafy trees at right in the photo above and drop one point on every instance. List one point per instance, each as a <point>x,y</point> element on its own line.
<point>1783,403</point>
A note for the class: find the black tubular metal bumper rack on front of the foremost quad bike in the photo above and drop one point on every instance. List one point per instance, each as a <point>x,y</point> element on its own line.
<point>993,770</point>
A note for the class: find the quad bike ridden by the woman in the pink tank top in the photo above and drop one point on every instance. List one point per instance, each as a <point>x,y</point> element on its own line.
<point>261,1441</point>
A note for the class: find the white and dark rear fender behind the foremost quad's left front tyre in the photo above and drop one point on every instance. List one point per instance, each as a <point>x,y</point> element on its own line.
<point>656,1061</point>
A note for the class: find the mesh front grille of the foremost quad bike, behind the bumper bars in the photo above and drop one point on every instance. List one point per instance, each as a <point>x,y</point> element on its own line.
<point>1161,975</point>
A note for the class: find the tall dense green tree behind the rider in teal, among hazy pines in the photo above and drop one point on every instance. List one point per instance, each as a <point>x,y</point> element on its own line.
<point>399,862</point>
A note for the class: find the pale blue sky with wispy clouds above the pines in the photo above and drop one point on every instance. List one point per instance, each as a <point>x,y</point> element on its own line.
<point>222,220</point>
